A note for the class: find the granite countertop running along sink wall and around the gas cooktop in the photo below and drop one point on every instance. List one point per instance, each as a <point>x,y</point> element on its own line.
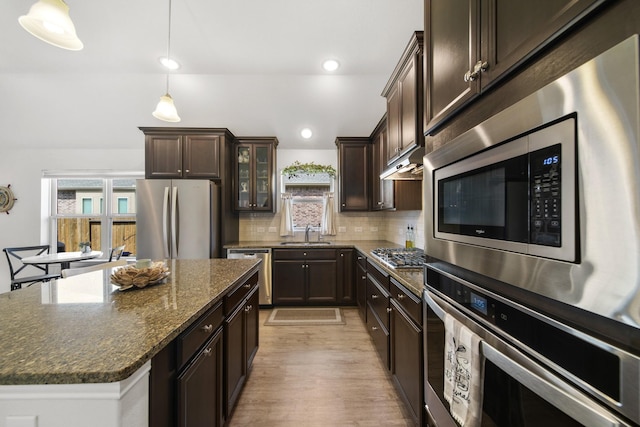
<point>410,278</point>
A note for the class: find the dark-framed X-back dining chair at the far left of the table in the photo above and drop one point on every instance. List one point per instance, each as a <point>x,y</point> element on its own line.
<point>24,273</point>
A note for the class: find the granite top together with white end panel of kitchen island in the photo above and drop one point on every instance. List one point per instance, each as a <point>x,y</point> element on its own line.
<point>78,351</point>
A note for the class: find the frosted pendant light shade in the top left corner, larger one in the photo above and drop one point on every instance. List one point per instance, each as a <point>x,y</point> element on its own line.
<point>49,21</point>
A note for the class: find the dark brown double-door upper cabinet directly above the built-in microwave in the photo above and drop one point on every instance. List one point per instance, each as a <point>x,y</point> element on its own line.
<point>473,44</point>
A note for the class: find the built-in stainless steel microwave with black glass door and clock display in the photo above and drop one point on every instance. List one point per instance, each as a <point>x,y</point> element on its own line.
<point>519,195</point>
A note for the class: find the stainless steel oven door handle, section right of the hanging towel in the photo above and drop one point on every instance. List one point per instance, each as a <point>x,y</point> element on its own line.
<point>580,409</point>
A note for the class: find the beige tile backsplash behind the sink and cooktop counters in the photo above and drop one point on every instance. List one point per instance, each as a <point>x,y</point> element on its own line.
<point>350,226</point>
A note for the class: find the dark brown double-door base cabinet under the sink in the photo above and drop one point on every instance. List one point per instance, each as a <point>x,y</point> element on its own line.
<point>304,277</point>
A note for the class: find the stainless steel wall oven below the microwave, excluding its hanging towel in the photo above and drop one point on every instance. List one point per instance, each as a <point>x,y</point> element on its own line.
<point>537,370</point>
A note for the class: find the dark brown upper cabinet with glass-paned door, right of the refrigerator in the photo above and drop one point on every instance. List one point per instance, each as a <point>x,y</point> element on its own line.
<point>254,183</point>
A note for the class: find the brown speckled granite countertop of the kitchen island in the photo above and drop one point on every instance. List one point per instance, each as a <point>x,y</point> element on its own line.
<point>82,329</point>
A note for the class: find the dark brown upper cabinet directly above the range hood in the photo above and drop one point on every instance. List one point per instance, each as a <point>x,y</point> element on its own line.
<point>404,93</point>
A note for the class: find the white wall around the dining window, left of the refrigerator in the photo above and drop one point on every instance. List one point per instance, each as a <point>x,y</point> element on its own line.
<point>22,168</point>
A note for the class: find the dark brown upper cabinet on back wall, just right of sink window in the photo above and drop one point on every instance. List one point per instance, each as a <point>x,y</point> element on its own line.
<point>354,171</point>
